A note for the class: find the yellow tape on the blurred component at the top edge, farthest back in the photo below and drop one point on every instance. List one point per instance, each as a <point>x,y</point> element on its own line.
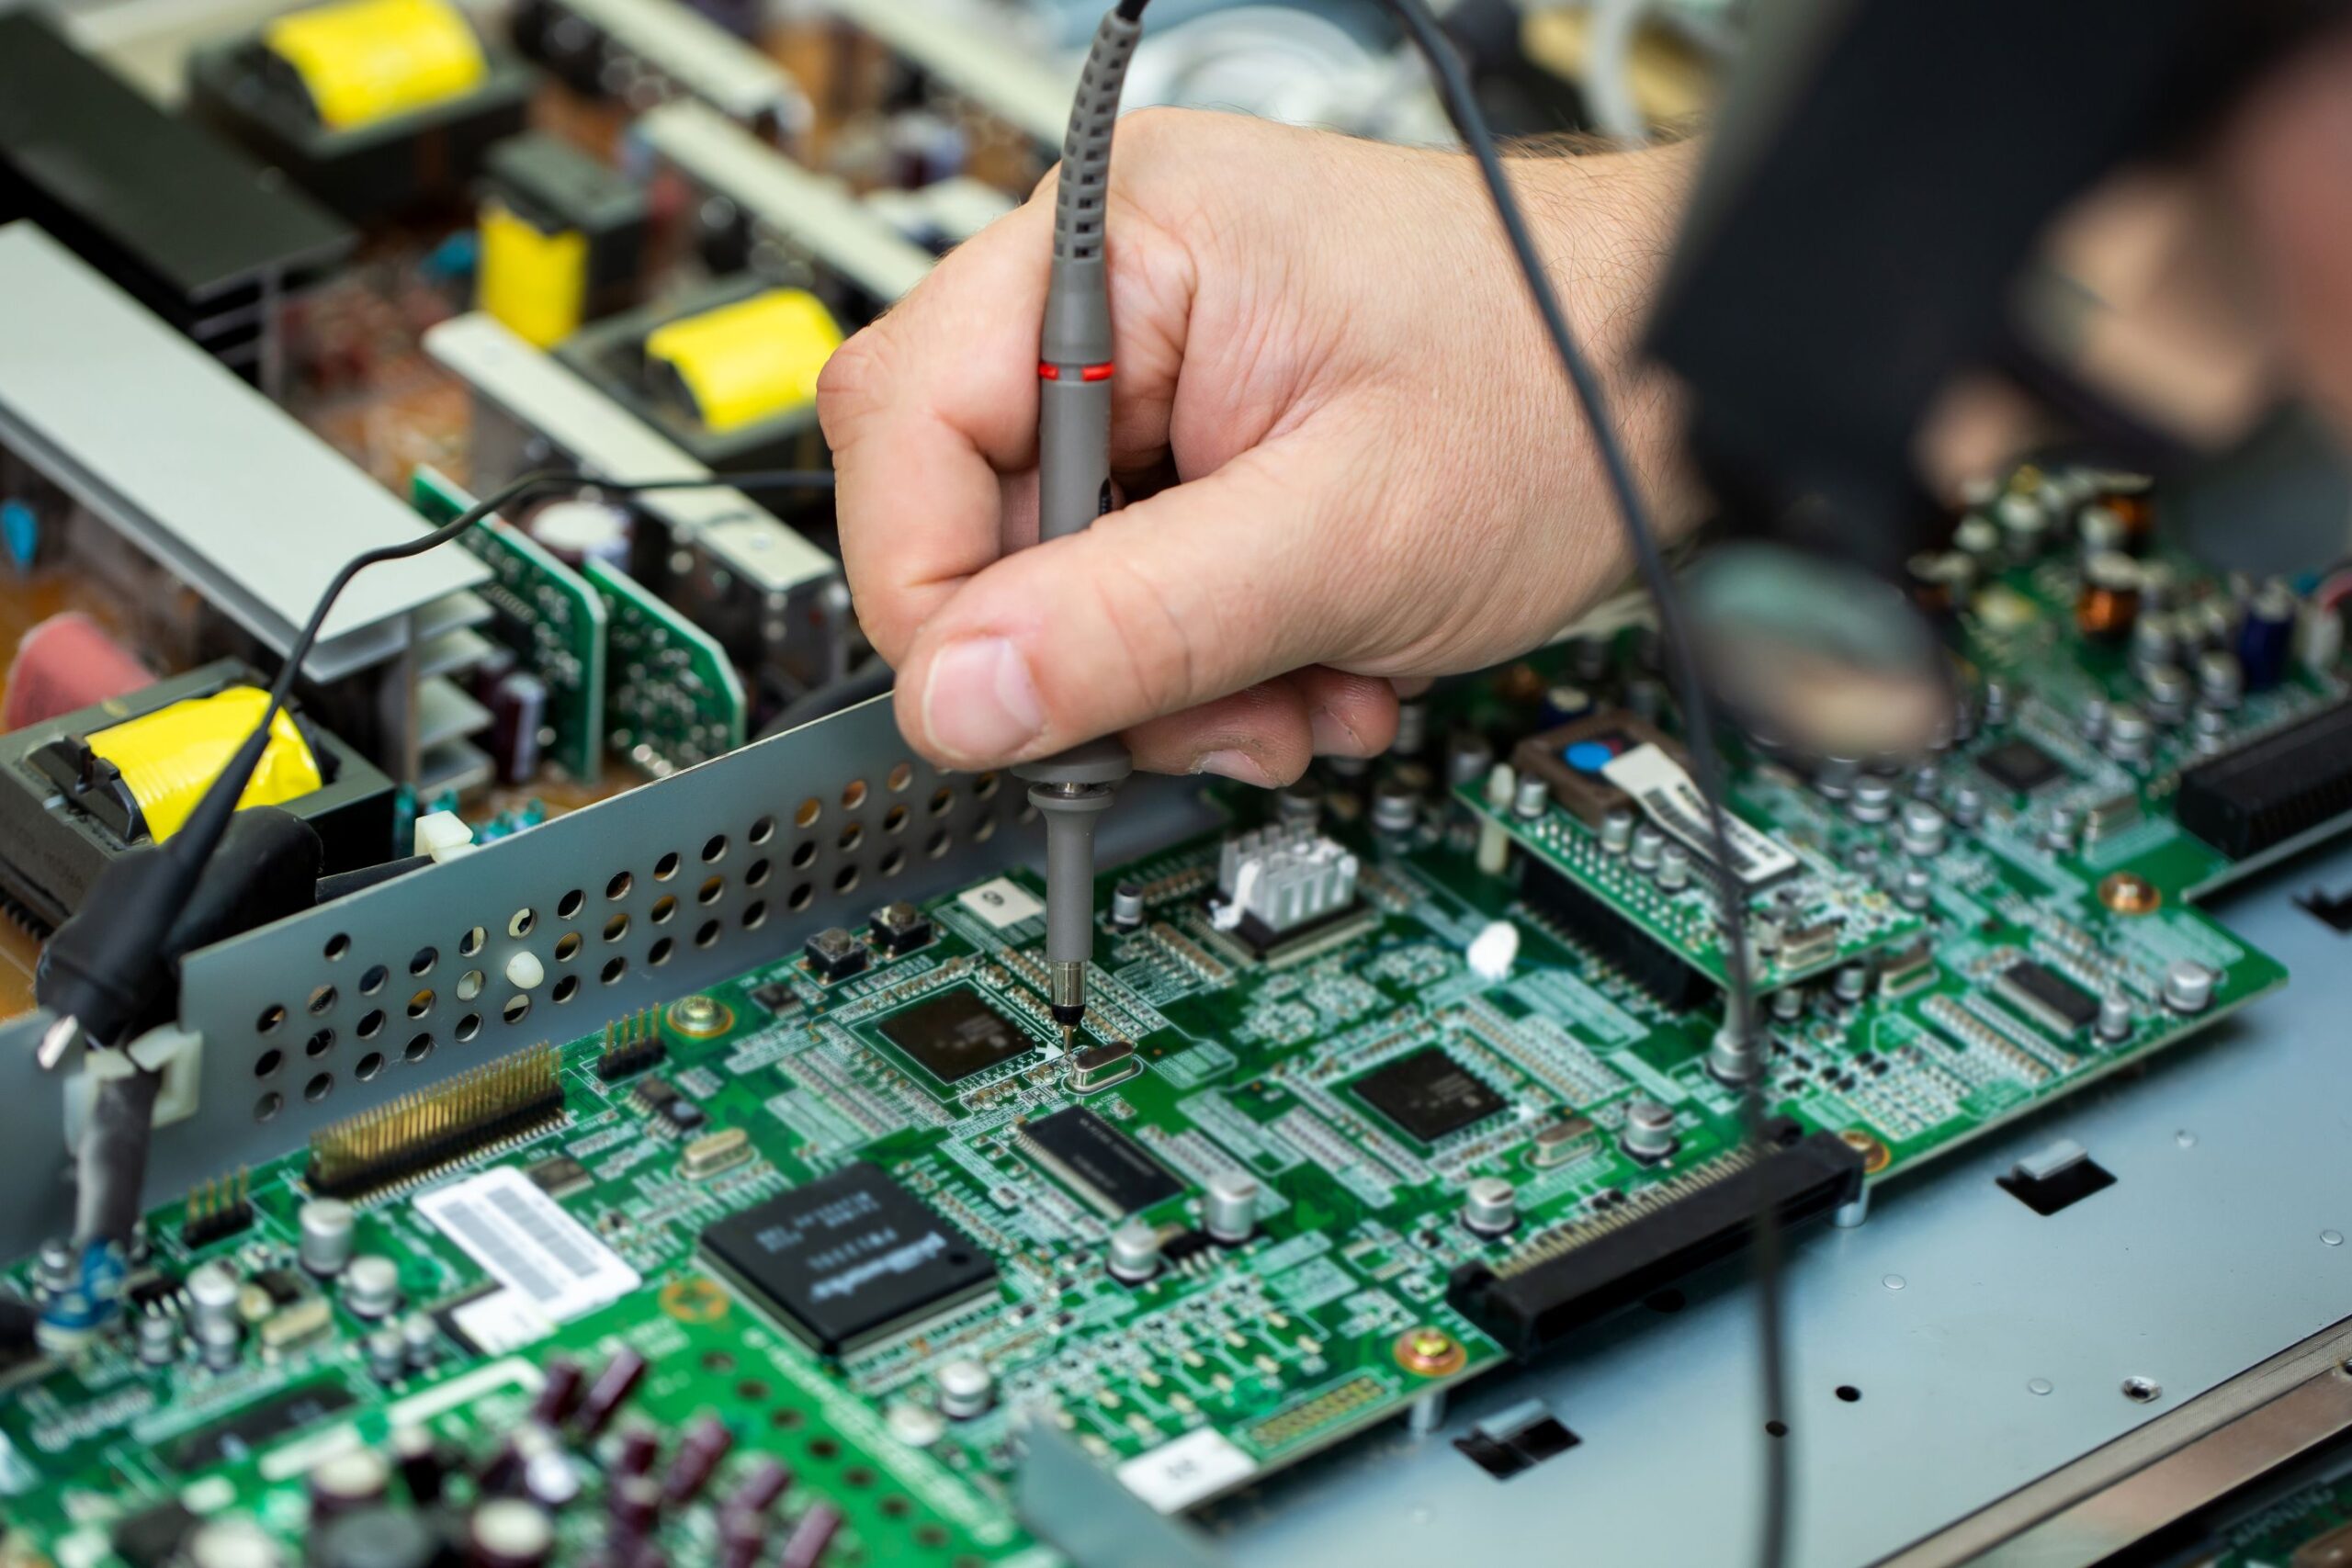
<point>373,60</point>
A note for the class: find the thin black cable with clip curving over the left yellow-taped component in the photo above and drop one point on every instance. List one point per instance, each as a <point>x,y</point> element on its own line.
<point>107,967</point>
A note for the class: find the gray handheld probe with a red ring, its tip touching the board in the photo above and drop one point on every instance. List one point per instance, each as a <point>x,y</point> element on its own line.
<point>1074,485</point>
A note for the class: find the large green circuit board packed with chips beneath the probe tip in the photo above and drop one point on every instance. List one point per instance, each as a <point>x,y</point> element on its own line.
<point>1363,1071</point>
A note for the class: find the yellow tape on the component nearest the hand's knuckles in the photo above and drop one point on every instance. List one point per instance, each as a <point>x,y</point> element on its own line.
<point>749,361</point>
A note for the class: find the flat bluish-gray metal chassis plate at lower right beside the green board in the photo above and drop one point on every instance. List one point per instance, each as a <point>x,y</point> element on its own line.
<point>1944,1311</point>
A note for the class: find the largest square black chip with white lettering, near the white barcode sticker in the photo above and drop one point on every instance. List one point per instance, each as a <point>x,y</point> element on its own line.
<point>848,1259</point>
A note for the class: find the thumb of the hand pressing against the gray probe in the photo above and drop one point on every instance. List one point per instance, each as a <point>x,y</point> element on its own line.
<point>1177,601</point>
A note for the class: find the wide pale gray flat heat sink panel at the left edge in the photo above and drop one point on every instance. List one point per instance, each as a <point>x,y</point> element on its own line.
<point>206,474</point>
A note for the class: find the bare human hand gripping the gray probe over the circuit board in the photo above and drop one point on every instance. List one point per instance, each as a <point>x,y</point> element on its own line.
<point>1351,453</point>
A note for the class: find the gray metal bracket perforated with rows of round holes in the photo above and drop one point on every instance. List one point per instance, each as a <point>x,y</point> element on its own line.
<point>629,904</point>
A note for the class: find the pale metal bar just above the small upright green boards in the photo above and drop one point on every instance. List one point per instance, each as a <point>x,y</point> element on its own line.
<point>606,438</point>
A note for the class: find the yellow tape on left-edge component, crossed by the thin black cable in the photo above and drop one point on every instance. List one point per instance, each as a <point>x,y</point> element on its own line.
<point>173,756</point>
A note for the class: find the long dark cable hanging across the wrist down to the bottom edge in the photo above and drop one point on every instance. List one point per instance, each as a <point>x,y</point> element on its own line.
<point>1690,692</point>
